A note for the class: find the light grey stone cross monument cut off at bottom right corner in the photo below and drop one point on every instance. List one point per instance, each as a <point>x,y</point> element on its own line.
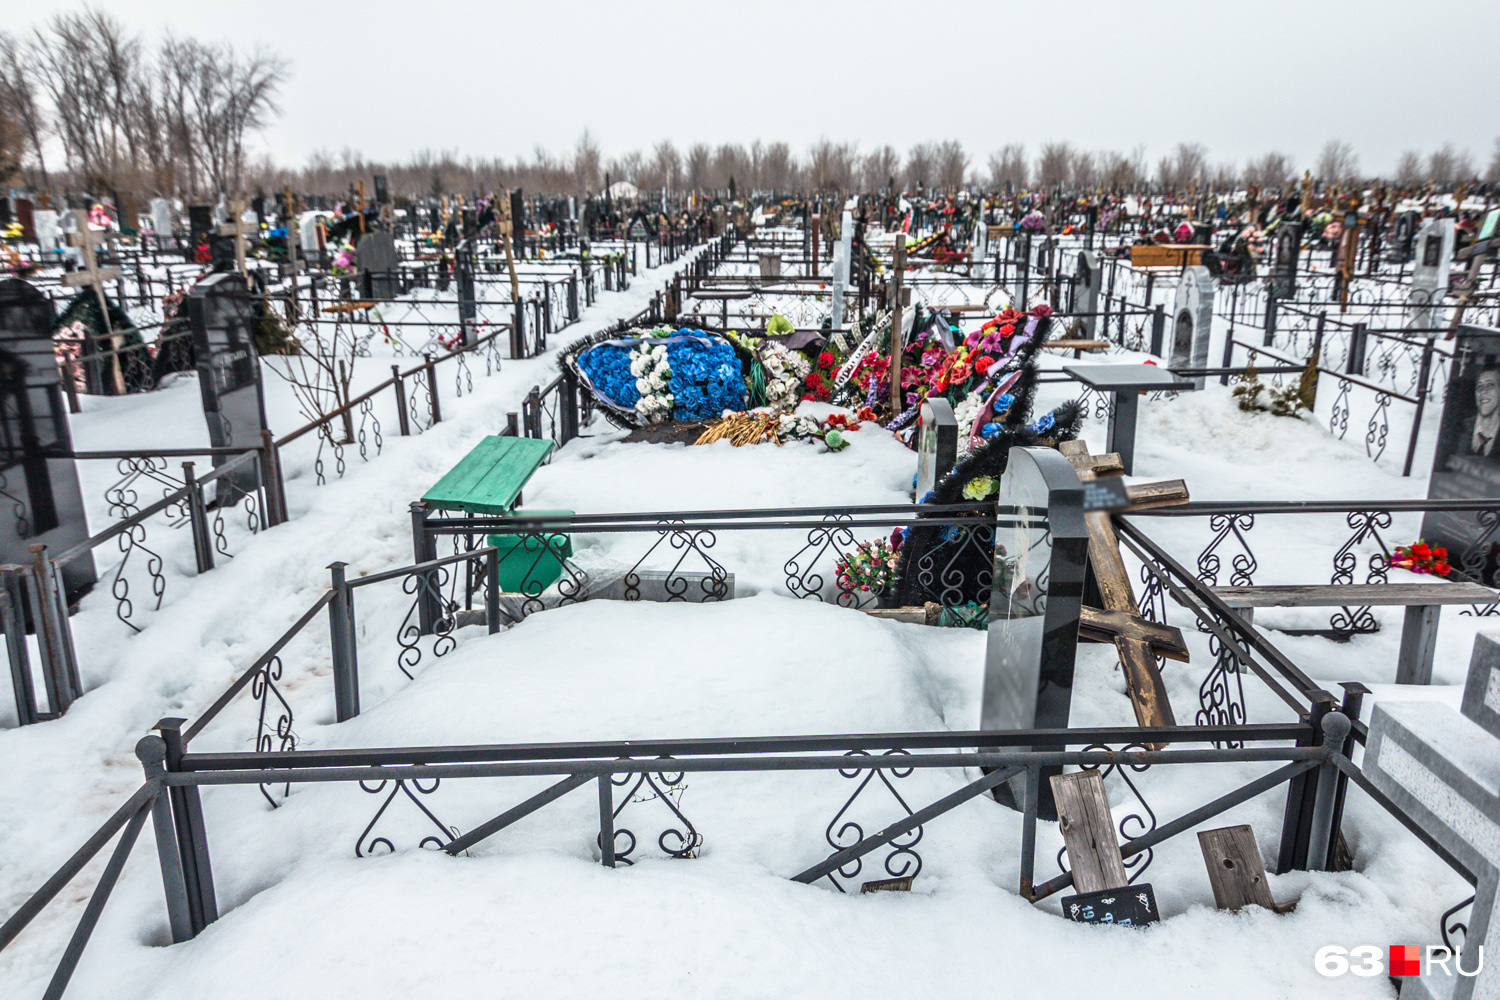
<point>1442,770</point>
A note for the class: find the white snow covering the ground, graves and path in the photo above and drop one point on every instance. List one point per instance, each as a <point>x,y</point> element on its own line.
<point>532,912</point>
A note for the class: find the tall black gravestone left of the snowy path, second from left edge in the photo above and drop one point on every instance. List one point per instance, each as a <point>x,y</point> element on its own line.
<point>224,320</point>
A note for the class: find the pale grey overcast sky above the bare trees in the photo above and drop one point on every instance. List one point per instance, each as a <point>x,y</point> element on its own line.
<point>487,79</point>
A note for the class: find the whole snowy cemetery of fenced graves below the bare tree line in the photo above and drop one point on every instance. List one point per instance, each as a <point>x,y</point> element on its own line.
<point>781,587</point>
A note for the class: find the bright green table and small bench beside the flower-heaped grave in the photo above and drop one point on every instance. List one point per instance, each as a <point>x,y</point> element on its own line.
<point>488,481</point>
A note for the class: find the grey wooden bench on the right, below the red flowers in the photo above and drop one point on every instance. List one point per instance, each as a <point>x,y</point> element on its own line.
<point>1424,603</point>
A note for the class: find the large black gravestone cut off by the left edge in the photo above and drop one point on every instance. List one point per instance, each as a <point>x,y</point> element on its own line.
<point>38,475</point>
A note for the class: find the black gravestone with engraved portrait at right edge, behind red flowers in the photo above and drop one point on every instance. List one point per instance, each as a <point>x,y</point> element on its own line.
<point>1468,460</point>
